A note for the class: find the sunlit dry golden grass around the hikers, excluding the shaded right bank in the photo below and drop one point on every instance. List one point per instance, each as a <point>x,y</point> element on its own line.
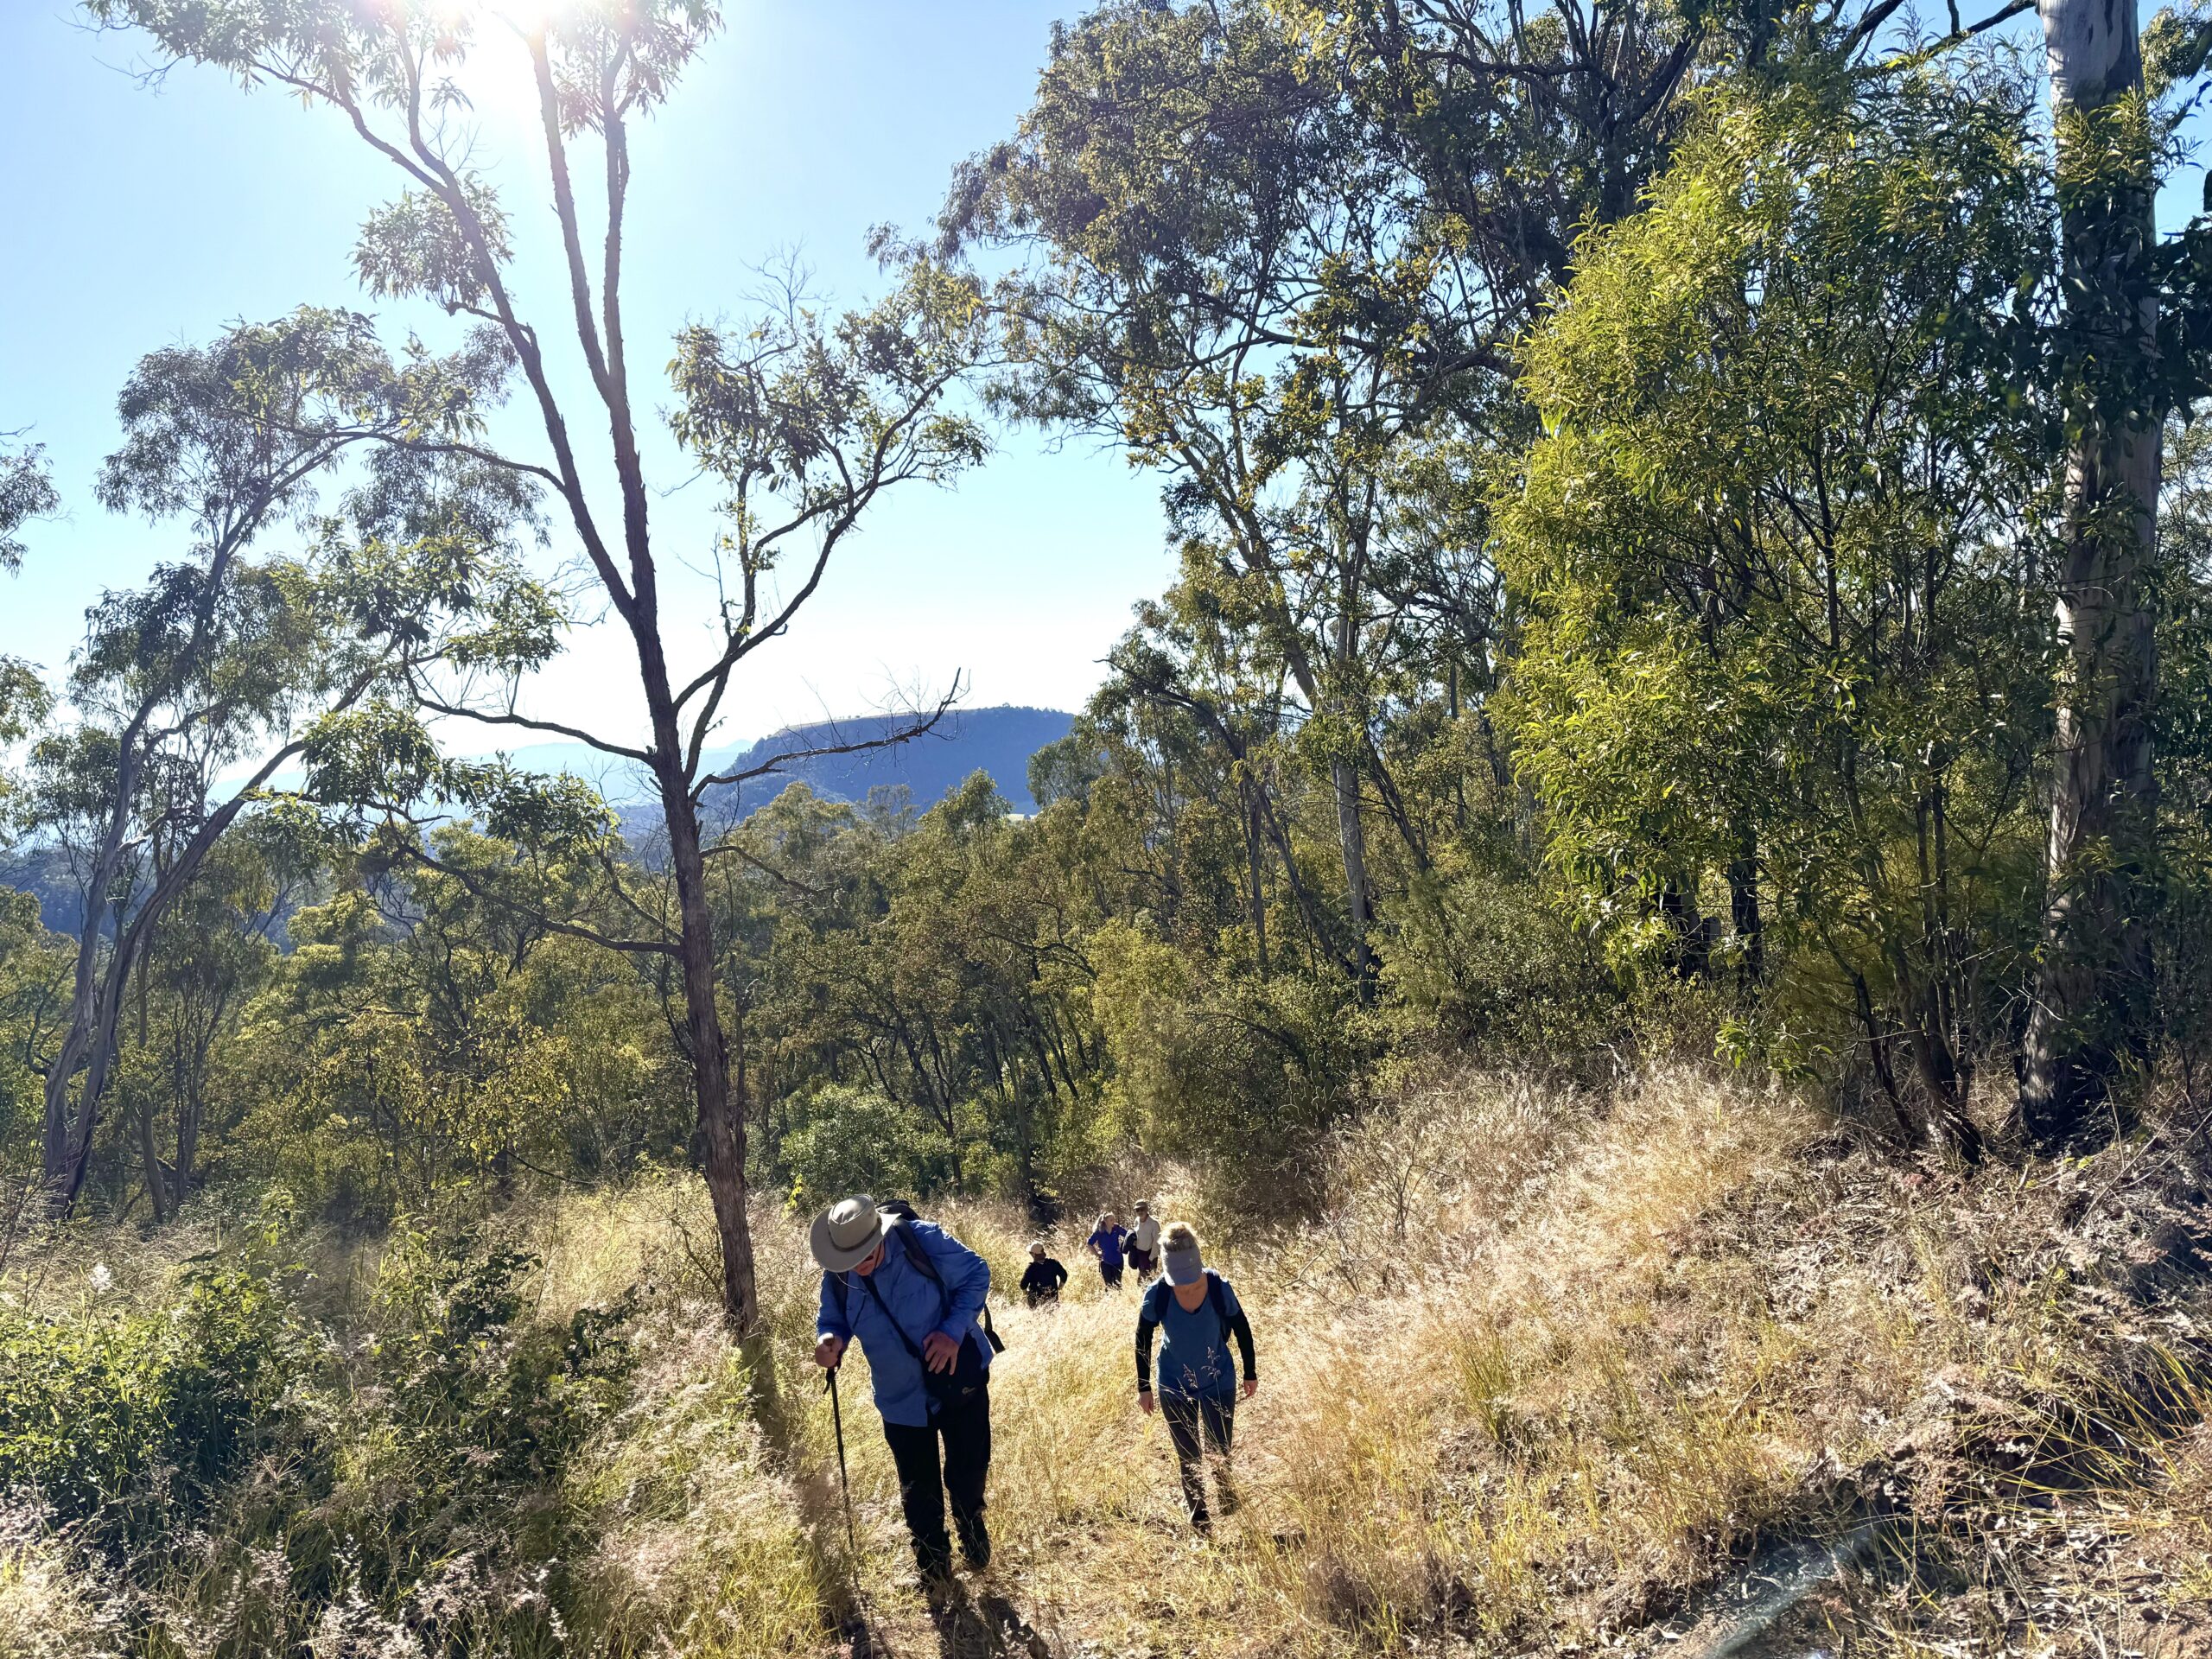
<point>1543,1368</point>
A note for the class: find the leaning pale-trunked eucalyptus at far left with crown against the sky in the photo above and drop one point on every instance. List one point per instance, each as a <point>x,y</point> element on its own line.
<point>196,691</point>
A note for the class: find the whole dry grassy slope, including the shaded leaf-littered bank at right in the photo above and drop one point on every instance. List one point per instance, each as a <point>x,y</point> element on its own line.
<point>1550,1377</point>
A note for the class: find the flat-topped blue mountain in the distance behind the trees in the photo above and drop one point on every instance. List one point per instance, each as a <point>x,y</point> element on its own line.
<point>932,766</point>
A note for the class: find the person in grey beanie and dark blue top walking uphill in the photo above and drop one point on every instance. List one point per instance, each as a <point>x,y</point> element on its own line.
<point>1196,1315</point>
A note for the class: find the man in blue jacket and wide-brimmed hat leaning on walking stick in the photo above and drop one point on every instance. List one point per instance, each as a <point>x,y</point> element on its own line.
<point>912,1295</point>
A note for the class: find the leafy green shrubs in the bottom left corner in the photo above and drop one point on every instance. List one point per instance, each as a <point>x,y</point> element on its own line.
<point>284,1479</point>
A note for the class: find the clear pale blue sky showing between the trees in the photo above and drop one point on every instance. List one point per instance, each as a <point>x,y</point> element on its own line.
<point>152,216</point>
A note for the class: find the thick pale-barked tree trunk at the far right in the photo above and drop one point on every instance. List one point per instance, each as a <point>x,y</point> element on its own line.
<point>2096,972</point>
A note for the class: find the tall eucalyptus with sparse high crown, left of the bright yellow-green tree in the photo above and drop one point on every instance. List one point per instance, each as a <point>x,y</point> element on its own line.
<point>1220,269</point>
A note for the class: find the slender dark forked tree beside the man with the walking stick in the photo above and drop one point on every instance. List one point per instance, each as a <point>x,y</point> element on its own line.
<point>802,419</point>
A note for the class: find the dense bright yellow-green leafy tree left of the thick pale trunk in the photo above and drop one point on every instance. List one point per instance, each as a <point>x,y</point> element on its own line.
<point>1777,598</point>
